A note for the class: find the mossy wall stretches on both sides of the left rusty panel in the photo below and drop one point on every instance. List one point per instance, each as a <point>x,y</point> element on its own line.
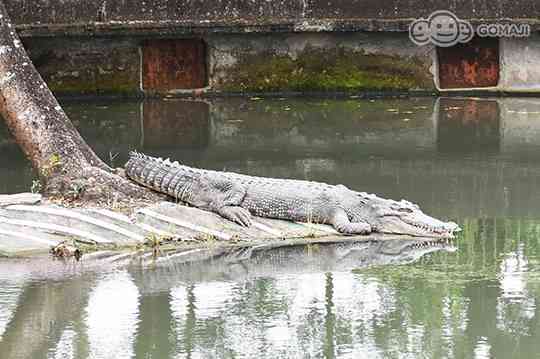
<point>246,63</point>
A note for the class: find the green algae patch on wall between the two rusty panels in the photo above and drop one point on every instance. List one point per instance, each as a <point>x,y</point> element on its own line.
<point>326,70</point>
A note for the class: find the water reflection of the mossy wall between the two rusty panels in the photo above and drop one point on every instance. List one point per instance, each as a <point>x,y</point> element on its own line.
<point>296,128</point>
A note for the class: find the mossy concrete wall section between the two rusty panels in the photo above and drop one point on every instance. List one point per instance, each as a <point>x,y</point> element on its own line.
<point>320,62</point>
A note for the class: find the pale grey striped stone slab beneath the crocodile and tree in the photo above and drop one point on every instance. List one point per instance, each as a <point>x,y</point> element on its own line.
<point>26,228</point>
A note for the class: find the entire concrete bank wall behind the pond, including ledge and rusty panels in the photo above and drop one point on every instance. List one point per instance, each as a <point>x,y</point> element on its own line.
<point>182,47</point>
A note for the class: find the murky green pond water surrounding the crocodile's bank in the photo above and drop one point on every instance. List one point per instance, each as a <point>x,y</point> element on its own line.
<point>476,162</point>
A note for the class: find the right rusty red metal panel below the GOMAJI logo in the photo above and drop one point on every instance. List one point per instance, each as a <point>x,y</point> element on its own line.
<point>469,65</point>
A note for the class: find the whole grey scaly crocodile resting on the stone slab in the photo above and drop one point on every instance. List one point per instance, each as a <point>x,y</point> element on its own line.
<point>238,197</point>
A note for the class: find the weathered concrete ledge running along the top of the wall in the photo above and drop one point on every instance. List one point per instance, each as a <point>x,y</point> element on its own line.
<point>187,16</point>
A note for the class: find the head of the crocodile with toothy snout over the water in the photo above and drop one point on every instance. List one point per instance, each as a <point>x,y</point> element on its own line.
<point>403,217</point>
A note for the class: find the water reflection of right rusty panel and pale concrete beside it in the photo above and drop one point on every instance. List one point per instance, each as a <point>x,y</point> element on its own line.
<point>510,126</point>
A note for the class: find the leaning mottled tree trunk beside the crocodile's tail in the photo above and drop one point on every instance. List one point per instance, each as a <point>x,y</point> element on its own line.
<point>63,160</point>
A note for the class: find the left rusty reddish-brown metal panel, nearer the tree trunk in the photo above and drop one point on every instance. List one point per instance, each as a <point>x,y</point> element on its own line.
<point>174,64</point>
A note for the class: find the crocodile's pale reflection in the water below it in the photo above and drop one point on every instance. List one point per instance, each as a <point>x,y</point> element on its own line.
<point>270,260</point>
